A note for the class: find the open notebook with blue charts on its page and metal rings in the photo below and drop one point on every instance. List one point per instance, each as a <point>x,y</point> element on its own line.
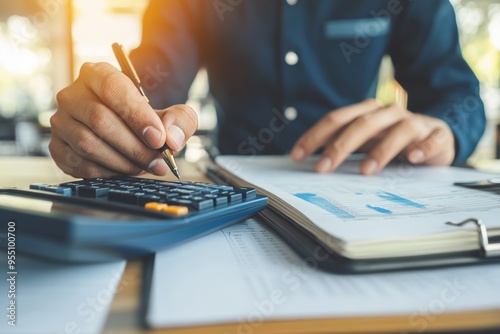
<point>398,219</point>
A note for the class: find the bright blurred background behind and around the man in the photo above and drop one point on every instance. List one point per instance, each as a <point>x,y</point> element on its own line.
<point>44,42</point>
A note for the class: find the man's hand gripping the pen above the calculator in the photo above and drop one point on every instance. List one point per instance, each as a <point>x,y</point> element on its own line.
<point>104,126</point>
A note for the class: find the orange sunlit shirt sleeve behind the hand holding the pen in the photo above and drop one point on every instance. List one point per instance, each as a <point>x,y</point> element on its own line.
<point>169,55</point>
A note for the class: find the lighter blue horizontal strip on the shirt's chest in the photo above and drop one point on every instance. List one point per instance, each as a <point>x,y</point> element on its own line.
<point>352,28</point>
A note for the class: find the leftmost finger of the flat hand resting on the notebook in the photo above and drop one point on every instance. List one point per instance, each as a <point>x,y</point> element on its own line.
<point>356,134</point>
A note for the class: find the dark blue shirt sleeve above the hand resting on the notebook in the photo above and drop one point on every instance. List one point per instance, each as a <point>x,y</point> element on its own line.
<point>428,63</point>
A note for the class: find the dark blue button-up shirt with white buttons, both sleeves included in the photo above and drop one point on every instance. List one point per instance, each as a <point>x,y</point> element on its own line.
<point>276,67</point>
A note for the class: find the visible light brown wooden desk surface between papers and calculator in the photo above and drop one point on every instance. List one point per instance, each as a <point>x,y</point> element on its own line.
<point>124,314</point>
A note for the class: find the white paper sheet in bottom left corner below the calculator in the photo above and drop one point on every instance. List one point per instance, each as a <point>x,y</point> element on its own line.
<point>58,298</point>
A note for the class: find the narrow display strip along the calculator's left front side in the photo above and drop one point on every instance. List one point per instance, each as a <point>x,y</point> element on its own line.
<point>48,206</point>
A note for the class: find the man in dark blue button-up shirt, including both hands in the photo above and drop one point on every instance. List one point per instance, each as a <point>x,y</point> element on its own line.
<point>287,76</point>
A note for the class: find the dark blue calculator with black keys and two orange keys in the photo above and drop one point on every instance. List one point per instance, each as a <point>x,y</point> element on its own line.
<point>104,219</point>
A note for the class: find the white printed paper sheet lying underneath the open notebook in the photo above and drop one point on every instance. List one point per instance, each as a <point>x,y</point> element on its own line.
<point>245,273</point>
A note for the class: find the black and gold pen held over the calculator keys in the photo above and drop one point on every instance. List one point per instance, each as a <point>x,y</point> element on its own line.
<point>129,70</point>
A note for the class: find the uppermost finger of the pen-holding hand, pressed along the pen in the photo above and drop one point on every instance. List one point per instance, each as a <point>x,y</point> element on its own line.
<point>118,92</point>
